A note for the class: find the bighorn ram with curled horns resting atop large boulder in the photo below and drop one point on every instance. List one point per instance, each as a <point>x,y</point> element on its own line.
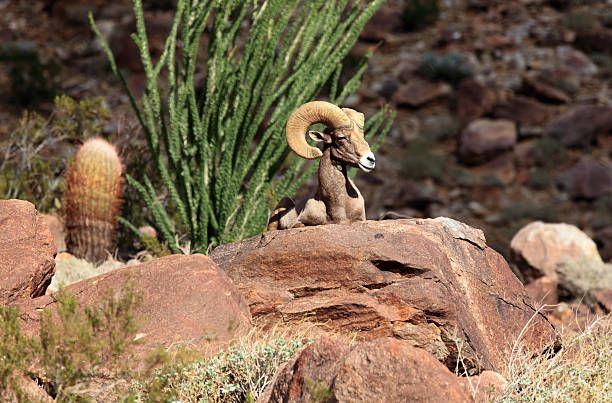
<point>337,199</point>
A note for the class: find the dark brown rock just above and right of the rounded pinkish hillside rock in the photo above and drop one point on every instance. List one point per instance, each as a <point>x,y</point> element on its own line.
<point>529,115</point>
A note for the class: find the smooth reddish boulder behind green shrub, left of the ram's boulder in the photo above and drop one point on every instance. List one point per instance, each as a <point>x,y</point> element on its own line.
<point>186,301</point>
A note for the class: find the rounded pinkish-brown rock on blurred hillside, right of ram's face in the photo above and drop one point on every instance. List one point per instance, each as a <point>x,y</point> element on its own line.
<point>484,139</point>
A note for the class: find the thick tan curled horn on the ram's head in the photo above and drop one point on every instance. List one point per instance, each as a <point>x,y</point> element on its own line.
<point>307,115</point>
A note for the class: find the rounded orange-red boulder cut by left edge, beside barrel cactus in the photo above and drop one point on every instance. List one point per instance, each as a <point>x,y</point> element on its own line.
<point>27,249</point>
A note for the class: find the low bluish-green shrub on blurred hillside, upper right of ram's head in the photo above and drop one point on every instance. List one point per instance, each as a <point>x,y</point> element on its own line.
<point>452,67</point>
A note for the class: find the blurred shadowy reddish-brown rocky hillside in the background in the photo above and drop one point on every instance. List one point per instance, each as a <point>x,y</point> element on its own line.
<point>504,108</point>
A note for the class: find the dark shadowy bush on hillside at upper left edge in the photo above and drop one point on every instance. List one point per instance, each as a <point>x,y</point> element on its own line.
<point>32,81</point>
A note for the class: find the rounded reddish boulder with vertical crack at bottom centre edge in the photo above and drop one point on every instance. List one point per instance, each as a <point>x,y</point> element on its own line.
<point>383,370</point>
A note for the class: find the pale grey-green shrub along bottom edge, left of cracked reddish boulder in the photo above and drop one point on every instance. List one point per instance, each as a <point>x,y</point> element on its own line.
<point>237,374</point>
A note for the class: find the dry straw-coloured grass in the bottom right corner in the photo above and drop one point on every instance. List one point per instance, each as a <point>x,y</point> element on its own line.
<point>581,371</point>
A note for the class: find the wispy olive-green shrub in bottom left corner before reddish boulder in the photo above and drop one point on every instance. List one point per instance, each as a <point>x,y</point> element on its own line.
<point>74,344</point>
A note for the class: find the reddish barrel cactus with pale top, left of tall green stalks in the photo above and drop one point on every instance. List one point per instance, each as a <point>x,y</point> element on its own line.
<point>92,200</point>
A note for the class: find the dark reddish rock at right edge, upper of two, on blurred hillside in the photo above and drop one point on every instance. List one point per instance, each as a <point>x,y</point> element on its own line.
<point>580,126</point>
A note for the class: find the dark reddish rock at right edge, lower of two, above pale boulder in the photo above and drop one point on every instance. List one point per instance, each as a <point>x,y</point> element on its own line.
<point>588,179</point>
